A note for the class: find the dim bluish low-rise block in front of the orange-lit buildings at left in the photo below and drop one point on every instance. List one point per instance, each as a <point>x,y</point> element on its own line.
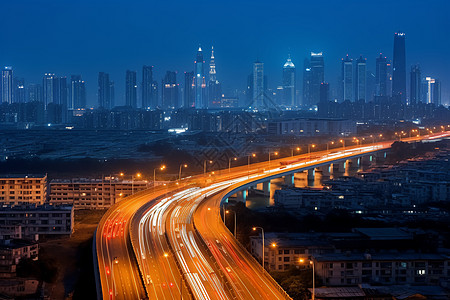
<point>41,220</point>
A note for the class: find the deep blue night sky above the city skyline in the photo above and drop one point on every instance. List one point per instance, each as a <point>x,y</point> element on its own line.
<point>88,36</point>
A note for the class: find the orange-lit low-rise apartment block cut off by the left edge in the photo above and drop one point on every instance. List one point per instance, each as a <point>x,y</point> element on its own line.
<point>23,189</point>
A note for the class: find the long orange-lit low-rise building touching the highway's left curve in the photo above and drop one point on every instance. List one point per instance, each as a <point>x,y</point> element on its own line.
<point>93,193</point>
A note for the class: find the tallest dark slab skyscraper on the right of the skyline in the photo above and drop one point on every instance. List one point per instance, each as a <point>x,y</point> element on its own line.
<point>399,71</point>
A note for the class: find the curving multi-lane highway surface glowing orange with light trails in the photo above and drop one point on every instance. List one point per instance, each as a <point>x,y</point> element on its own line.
<point>170,242</point>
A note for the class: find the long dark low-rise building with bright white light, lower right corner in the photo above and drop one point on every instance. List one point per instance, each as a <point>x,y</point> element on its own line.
<point>340,269</point>
